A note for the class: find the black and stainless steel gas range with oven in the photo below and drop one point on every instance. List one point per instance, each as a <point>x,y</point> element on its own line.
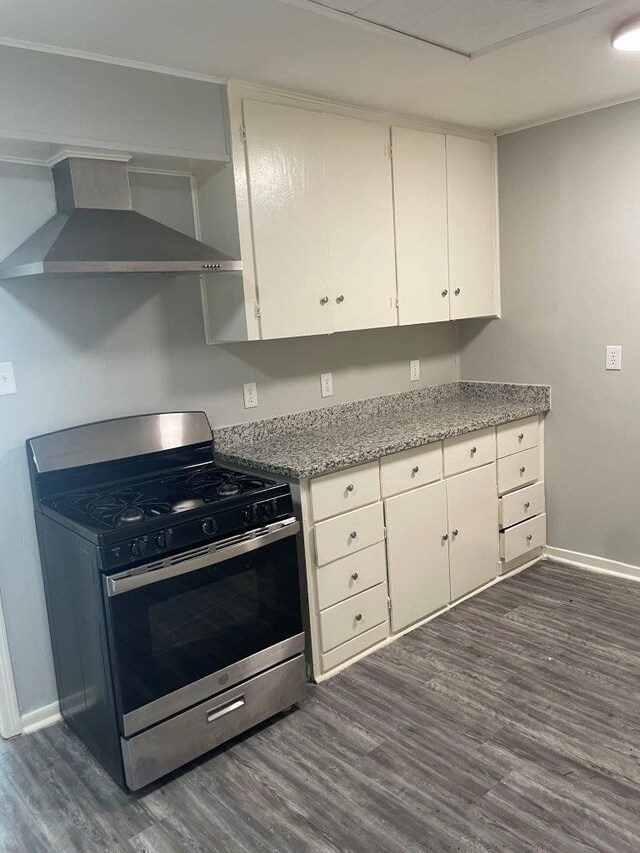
<point>172,590</point>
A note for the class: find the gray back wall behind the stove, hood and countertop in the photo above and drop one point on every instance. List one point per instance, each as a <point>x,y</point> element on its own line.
<point>87,350</point>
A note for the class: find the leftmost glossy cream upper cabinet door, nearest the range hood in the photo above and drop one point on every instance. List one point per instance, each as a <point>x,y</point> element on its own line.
<point>288,216</point>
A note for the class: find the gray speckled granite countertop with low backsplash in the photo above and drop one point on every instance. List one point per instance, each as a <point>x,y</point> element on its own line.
<point>311,443</point>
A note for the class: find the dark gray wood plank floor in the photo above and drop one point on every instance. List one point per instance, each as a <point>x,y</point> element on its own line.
<point>511,724</point>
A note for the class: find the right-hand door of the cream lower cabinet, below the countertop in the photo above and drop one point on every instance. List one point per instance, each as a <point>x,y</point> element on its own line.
<point>472,504</point>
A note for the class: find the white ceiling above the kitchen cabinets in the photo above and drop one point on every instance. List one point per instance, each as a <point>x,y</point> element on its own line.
<point>299,45</point>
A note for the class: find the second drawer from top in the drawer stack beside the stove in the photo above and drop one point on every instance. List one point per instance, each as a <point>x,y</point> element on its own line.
<point>348,533</point>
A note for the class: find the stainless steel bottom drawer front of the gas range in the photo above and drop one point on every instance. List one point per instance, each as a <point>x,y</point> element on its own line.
<point>169,745</point>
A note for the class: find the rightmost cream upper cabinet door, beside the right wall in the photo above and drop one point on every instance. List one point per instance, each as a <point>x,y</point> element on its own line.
<point>471,192</point>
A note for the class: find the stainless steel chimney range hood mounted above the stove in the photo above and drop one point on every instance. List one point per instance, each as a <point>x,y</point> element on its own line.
<point>95,231</point>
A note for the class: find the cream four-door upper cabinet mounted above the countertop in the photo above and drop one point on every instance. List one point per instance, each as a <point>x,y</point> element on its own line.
<point>347,223</point>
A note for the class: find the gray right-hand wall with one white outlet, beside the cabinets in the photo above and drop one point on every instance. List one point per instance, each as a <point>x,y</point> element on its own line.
<point>570,253</point>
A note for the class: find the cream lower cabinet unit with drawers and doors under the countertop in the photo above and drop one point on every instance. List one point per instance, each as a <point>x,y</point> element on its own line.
<point>454,515</point>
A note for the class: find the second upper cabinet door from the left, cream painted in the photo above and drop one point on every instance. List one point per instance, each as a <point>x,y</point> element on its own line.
<point>360,223</point>
